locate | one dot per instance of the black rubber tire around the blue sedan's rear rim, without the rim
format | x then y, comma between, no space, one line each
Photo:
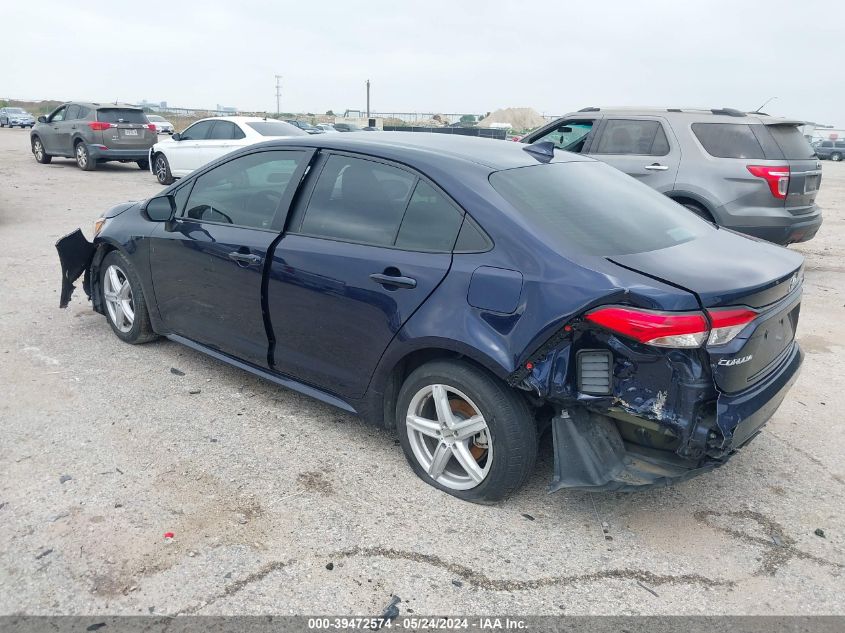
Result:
511,428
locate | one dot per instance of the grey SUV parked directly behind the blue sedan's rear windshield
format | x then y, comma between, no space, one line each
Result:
752,173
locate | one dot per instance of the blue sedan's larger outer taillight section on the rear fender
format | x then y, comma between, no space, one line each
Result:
663,329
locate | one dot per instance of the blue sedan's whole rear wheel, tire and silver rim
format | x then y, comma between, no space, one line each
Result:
465,432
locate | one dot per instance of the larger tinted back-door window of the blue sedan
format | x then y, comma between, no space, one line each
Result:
358,200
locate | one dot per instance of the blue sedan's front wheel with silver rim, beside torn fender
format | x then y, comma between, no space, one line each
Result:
124,301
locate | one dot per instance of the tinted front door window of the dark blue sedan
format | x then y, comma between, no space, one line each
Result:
246,191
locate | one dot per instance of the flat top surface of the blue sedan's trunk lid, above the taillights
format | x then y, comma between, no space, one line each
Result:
722,268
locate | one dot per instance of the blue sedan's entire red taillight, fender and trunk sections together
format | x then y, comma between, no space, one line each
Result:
673,329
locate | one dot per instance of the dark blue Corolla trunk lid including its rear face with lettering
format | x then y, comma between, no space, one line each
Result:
724,269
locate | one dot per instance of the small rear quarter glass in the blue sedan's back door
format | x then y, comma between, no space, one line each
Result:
431,223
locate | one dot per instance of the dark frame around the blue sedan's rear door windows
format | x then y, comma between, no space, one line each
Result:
313,177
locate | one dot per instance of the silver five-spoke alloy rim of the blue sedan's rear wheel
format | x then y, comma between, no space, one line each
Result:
449,437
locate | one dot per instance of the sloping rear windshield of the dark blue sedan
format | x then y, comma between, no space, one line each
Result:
595,209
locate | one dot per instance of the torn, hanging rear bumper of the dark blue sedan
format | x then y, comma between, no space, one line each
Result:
592,454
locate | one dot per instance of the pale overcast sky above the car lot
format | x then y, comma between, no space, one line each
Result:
432,56
